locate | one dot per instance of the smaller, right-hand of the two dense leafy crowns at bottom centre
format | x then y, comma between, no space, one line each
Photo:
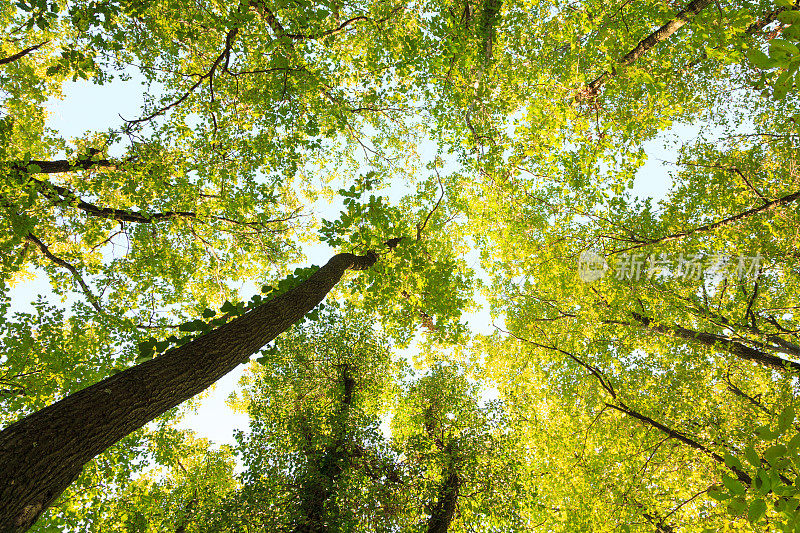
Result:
449,439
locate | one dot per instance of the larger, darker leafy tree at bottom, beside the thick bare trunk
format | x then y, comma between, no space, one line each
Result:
314,456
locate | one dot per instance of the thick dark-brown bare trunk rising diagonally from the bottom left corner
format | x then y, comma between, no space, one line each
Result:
43,453
